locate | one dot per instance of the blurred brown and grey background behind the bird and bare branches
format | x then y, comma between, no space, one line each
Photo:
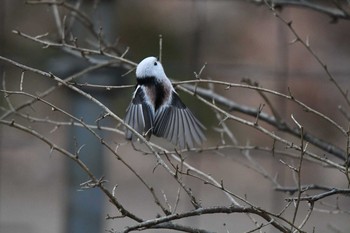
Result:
40,191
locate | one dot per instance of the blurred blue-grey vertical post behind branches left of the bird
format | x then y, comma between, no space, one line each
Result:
86,208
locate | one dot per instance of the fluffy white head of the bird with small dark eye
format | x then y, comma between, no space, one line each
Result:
150,67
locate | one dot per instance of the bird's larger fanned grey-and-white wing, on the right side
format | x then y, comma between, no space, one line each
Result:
176,123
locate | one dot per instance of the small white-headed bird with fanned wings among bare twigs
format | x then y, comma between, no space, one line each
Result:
156,109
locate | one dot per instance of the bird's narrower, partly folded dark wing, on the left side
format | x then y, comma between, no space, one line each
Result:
139,115
